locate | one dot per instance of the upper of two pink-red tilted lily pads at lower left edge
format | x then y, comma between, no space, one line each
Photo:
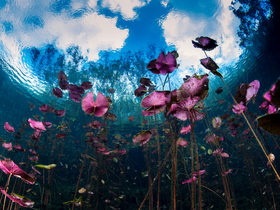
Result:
9,167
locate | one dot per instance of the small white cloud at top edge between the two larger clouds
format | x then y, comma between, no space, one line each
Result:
125,7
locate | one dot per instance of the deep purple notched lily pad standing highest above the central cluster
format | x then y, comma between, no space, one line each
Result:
166,64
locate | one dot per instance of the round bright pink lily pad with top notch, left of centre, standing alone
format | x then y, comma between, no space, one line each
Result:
97,108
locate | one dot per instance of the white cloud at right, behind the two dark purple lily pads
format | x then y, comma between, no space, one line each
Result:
179,29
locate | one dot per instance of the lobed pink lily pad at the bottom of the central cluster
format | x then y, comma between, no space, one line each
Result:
182,110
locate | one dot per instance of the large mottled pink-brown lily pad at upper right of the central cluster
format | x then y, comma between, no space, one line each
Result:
194,86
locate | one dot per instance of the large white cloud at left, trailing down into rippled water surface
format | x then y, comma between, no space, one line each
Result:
91,32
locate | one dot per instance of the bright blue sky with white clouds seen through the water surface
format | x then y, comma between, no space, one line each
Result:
116,25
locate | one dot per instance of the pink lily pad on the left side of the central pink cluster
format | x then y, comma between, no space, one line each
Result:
155,102
